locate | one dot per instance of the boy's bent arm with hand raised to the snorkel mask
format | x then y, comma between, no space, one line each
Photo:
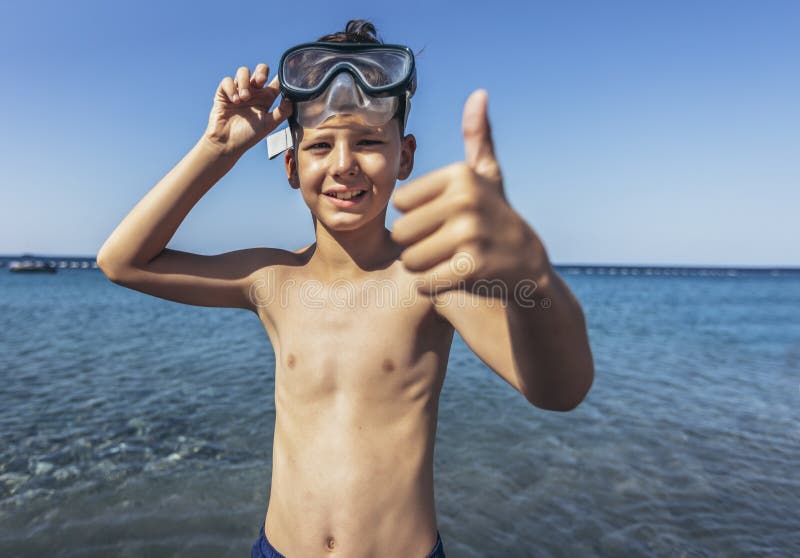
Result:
136,256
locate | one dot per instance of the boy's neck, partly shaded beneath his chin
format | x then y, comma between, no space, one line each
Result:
351,254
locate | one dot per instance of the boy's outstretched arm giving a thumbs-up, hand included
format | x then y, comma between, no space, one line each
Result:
474,252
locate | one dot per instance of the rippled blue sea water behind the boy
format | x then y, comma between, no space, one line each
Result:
133,426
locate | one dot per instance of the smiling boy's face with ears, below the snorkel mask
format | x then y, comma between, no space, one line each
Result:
343,151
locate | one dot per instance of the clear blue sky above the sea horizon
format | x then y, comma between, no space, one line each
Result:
628,132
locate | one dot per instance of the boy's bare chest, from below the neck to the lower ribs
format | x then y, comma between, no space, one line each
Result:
376,338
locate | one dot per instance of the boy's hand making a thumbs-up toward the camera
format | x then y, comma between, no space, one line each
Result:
458,226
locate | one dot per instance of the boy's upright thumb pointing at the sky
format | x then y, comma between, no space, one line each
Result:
478,145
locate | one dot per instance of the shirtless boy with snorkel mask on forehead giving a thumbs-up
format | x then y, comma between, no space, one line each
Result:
362,320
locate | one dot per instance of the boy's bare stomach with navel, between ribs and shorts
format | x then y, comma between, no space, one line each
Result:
360,478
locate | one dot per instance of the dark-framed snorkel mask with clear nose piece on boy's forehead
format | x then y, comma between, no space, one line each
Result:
368,80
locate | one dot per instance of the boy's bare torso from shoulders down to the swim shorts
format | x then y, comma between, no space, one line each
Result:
357,384
